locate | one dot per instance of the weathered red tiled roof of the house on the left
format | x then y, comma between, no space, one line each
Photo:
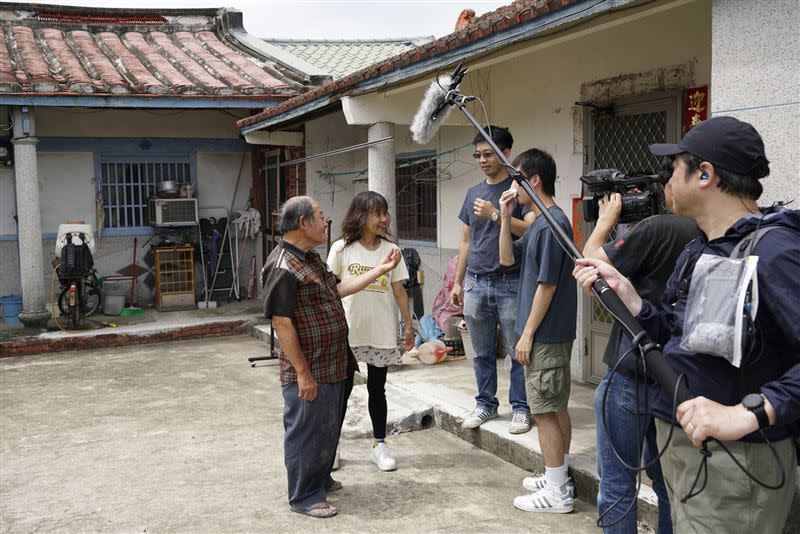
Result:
78,51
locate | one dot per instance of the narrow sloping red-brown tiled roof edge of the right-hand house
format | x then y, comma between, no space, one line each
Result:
497,21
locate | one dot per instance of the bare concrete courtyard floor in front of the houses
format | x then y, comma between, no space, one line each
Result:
185,436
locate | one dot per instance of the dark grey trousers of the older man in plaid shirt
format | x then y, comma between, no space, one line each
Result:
309,443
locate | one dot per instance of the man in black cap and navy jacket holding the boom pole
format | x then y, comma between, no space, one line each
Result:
749,407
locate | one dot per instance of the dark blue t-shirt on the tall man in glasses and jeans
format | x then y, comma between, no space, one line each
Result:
484,251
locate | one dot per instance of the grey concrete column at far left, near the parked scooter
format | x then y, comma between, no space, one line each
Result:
29,222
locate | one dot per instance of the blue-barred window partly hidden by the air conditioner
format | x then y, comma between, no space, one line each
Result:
127,184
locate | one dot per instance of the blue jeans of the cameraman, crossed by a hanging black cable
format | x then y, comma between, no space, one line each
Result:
615,480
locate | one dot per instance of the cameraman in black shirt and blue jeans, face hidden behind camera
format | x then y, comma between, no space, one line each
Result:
646,256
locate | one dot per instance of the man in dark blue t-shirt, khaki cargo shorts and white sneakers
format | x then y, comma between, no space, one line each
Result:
547,311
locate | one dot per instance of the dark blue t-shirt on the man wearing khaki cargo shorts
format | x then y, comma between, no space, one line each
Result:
542,260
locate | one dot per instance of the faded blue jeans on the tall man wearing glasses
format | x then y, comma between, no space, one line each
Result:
490,300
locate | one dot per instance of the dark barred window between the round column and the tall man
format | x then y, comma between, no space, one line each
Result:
416,196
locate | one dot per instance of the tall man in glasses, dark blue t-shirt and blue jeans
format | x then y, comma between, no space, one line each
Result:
489,289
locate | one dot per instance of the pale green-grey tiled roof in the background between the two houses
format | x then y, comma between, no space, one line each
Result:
341,58
